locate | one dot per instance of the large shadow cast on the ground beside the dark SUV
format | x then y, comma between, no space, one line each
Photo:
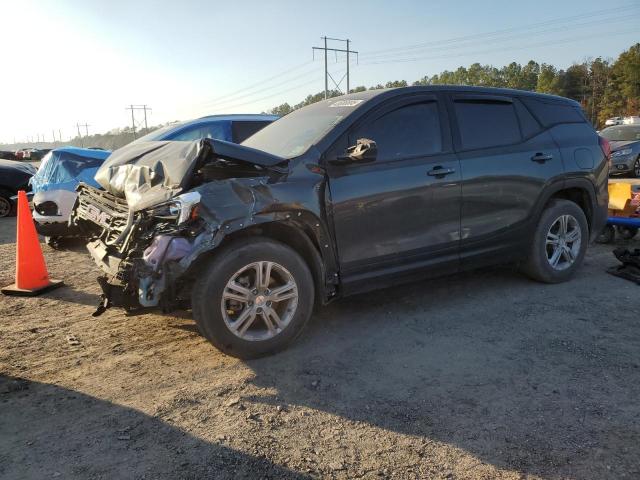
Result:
485,362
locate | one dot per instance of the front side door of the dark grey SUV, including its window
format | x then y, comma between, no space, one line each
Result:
401,211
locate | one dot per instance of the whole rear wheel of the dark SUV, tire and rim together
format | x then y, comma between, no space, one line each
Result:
542,254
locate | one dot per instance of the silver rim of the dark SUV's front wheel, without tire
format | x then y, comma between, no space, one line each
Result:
259,301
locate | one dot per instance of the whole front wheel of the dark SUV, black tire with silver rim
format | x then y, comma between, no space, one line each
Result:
216,314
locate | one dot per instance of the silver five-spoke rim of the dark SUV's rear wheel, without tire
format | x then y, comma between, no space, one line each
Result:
563,242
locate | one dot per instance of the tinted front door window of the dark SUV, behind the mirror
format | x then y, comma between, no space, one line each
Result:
407,131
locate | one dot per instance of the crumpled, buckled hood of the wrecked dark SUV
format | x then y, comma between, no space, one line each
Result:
149,173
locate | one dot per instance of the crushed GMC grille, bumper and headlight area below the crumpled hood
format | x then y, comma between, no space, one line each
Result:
139,252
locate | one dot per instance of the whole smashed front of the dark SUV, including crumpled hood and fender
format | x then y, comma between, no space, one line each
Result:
145,232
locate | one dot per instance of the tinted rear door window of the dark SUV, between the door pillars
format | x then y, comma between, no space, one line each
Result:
486,124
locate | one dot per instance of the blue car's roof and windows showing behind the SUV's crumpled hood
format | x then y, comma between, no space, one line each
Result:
231,128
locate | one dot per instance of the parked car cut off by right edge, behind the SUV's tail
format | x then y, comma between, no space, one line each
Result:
625,149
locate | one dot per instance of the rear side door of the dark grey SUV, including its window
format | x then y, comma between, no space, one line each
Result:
506,160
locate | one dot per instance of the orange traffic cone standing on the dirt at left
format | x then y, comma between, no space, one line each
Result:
31,271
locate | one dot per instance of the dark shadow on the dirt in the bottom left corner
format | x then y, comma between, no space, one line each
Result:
48,431
